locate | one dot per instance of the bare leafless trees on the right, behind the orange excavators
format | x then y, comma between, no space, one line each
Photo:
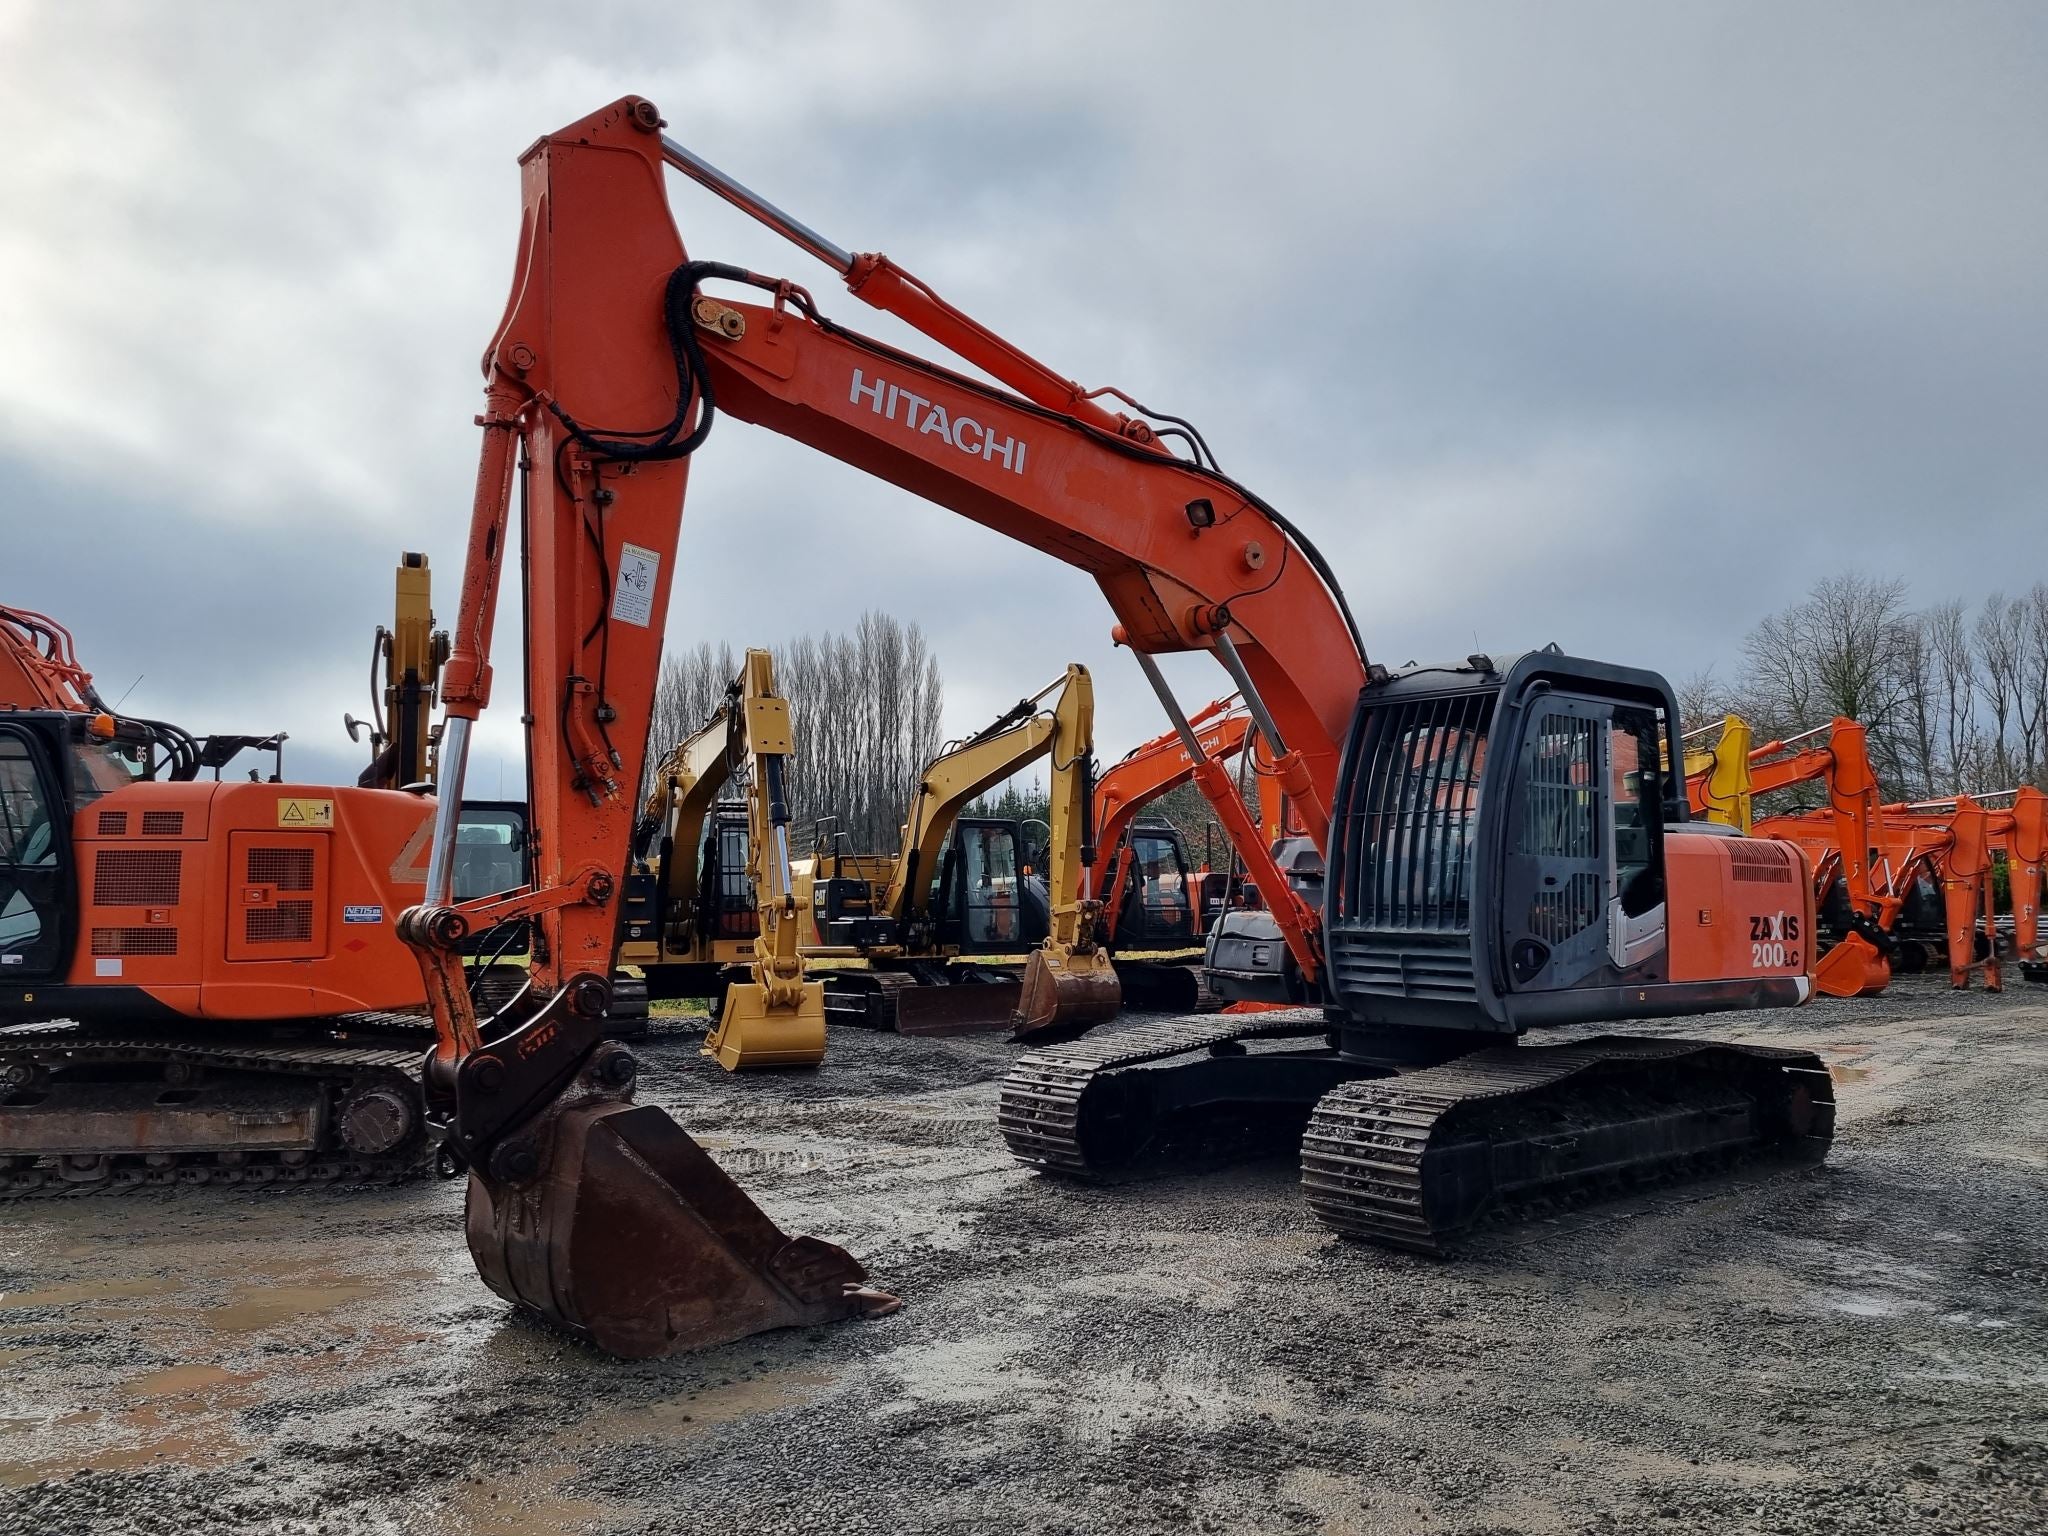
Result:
1955,695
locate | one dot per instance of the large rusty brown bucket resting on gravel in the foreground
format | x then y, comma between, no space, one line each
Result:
634,1240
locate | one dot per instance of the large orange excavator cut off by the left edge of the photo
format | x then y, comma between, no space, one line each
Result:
200,980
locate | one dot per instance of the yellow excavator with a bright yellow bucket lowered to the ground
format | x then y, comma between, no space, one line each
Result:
712,904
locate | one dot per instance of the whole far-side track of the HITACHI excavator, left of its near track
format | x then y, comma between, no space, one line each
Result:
1093,1107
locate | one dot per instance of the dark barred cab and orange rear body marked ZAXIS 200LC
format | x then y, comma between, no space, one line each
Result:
1512,853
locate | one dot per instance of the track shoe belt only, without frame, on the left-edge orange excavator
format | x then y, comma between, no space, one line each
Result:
335,1062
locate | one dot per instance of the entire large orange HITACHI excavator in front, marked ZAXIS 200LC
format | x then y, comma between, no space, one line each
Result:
1504,845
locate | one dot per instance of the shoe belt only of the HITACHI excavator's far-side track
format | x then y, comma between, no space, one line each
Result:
1041,1103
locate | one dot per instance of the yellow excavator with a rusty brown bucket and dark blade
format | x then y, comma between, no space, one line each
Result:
959,890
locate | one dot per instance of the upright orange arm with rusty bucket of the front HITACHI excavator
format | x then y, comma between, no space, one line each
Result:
597,1213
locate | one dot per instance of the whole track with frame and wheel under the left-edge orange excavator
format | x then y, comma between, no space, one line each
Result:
210,1109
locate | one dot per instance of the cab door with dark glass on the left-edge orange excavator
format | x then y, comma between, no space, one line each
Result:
36,863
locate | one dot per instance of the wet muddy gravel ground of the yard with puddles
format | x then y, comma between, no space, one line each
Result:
1861,1347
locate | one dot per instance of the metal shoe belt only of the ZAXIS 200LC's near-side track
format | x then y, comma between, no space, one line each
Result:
1363,1152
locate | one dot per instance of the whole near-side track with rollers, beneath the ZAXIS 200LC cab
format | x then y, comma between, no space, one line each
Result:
1424,1158
